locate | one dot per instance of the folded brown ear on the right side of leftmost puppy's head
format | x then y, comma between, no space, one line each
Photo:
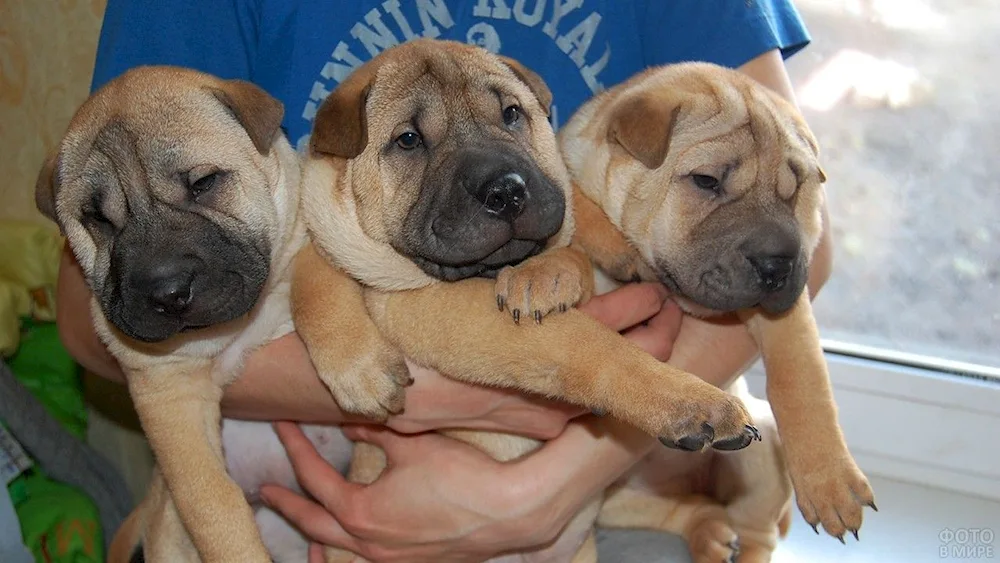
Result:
256,110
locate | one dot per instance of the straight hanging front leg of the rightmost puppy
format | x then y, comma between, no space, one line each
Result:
829,487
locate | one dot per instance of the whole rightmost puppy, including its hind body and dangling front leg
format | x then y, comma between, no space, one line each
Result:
696,176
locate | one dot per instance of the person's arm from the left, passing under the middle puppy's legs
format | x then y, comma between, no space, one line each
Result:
279,381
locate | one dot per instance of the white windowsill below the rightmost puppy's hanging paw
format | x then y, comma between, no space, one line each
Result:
907,529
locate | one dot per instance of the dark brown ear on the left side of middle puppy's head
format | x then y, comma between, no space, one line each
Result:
340,127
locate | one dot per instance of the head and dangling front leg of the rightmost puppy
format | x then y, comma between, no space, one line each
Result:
696,176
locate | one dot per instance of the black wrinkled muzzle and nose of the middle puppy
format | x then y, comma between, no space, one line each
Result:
488,204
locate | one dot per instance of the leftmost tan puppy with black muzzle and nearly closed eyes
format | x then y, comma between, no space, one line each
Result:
178,195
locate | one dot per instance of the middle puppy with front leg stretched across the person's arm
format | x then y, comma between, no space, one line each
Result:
435,163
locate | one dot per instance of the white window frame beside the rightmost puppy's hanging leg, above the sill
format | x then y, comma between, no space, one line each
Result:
914,418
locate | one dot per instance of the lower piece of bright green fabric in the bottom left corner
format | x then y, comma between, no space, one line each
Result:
59,523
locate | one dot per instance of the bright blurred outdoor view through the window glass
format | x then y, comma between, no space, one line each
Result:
904,96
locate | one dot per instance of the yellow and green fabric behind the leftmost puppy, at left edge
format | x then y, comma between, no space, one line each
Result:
59,523
